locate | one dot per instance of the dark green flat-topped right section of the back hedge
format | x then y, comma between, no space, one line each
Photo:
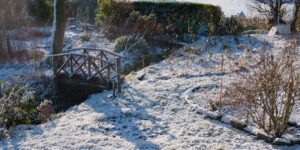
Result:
184,17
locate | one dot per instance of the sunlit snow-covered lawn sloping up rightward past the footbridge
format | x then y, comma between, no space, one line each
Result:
152,113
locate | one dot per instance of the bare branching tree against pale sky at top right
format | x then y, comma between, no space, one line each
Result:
271,9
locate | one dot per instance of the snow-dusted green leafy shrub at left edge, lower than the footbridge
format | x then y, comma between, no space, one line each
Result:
17,105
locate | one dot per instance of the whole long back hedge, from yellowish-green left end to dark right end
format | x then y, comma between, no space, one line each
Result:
174,19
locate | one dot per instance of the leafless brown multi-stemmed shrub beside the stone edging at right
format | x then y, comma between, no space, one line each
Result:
269,91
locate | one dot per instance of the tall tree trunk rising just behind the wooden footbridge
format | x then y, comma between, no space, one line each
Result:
59,24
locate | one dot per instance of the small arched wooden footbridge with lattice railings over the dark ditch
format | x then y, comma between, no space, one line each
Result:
90,66
